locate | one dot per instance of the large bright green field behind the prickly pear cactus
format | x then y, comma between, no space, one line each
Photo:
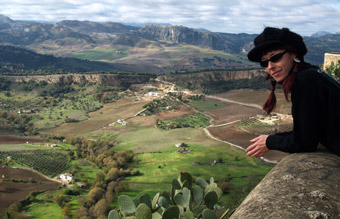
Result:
159,162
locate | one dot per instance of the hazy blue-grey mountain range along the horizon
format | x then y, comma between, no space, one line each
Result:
150,48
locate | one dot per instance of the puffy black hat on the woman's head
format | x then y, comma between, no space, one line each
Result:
275,37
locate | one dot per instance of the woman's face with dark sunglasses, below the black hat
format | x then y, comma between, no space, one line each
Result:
278,63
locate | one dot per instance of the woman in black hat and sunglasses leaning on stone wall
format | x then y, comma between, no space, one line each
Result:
315,96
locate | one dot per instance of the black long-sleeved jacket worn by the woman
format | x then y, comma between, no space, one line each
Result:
316,114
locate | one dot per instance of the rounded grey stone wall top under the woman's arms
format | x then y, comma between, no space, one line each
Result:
305,185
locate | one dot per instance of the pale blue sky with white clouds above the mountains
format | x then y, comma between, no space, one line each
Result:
228,16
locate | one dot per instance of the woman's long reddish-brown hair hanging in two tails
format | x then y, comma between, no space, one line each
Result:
287,86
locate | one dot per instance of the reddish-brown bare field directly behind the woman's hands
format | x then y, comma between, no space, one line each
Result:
241,138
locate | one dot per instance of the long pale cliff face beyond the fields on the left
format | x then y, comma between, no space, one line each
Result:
104,79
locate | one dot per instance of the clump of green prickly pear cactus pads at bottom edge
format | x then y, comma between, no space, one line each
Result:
185,201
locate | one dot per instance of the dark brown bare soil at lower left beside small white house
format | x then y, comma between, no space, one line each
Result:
18,183
